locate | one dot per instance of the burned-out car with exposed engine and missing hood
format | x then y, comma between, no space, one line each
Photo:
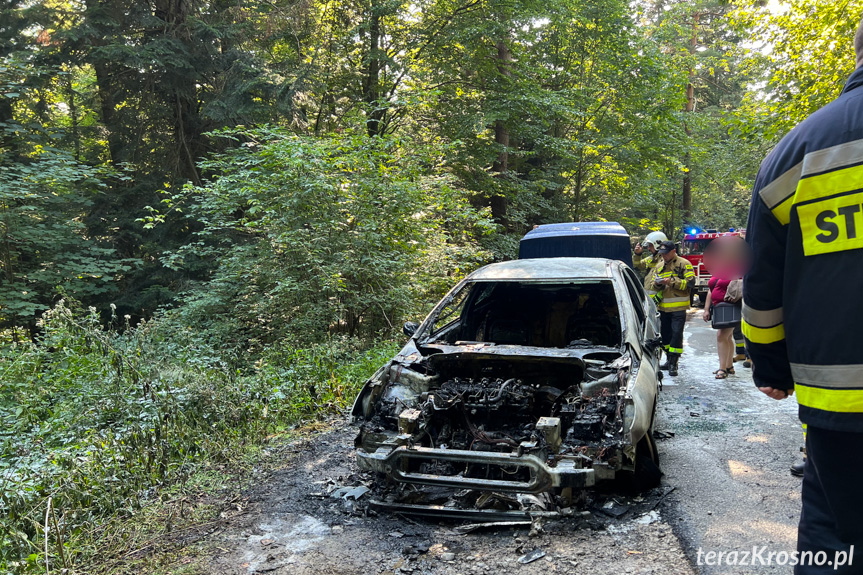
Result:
533,376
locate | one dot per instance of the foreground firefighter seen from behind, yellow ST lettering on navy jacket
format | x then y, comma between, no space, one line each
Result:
806,235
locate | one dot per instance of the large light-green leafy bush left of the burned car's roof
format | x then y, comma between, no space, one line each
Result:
311,237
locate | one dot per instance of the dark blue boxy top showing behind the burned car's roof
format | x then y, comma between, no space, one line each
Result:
578,240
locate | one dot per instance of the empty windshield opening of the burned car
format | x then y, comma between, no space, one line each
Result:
536,314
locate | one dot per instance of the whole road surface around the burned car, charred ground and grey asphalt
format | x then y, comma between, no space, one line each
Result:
726,488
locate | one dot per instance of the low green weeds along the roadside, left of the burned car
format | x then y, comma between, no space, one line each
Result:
98,424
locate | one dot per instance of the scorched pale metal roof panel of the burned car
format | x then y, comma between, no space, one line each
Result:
546,269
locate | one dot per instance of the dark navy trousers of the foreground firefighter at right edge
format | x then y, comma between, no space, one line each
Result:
832,517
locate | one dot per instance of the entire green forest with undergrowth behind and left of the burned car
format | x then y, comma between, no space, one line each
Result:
216,216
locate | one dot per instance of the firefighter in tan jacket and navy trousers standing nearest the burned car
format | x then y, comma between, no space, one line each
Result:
672,279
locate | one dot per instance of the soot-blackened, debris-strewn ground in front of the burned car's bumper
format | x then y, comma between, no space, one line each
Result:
304,520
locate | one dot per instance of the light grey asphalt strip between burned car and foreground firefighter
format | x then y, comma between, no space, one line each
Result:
728,460
